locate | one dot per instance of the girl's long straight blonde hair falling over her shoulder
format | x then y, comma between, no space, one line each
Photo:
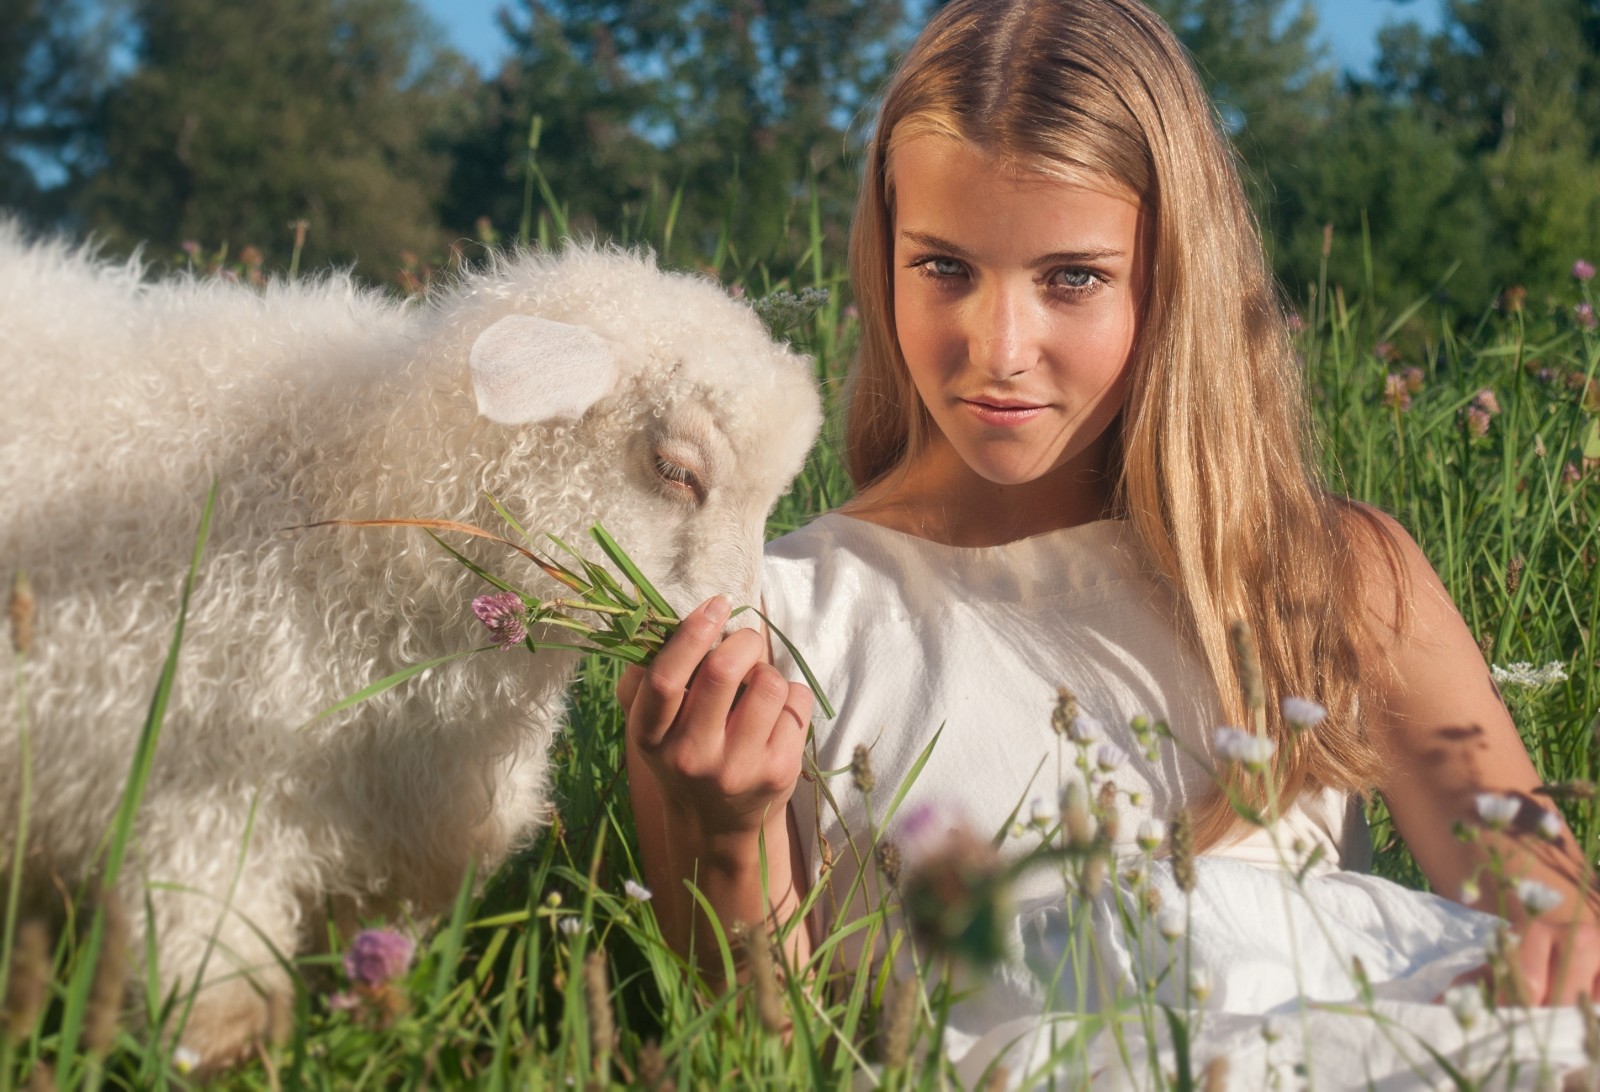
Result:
1214,462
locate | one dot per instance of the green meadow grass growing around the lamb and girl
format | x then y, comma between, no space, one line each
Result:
553,974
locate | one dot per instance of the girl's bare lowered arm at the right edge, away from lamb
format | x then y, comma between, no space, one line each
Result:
1447,739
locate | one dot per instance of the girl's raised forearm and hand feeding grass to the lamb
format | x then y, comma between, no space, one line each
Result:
714,747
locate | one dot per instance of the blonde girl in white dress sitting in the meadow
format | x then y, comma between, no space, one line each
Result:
1079,438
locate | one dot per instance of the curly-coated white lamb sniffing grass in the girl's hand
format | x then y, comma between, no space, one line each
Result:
601,390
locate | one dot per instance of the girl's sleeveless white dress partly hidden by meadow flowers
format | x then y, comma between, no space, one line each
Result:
911,641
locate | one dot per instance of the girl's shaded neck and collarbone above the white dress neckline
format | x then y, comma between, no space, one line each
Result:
935,496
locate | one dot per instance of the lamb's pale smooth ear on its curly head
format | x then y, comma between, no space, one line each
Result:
527,369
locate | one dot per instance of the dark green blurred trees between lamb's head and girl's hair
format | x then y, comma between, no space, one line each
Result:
718,114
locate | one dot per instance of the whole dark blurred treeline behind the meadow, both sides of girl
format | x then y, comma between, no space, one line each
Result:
721,130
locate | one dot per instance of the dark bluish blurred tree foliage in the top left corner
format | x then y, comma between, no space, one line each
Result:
54,68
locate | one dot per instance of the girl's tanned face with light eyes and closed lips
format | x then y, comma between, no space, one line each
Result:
1017,303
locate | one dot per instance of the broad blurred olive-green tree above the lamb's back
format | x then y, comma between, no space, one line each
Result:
244,116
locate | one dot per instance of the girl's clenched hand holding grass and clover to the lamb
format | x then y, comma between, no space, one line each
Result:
718,728
